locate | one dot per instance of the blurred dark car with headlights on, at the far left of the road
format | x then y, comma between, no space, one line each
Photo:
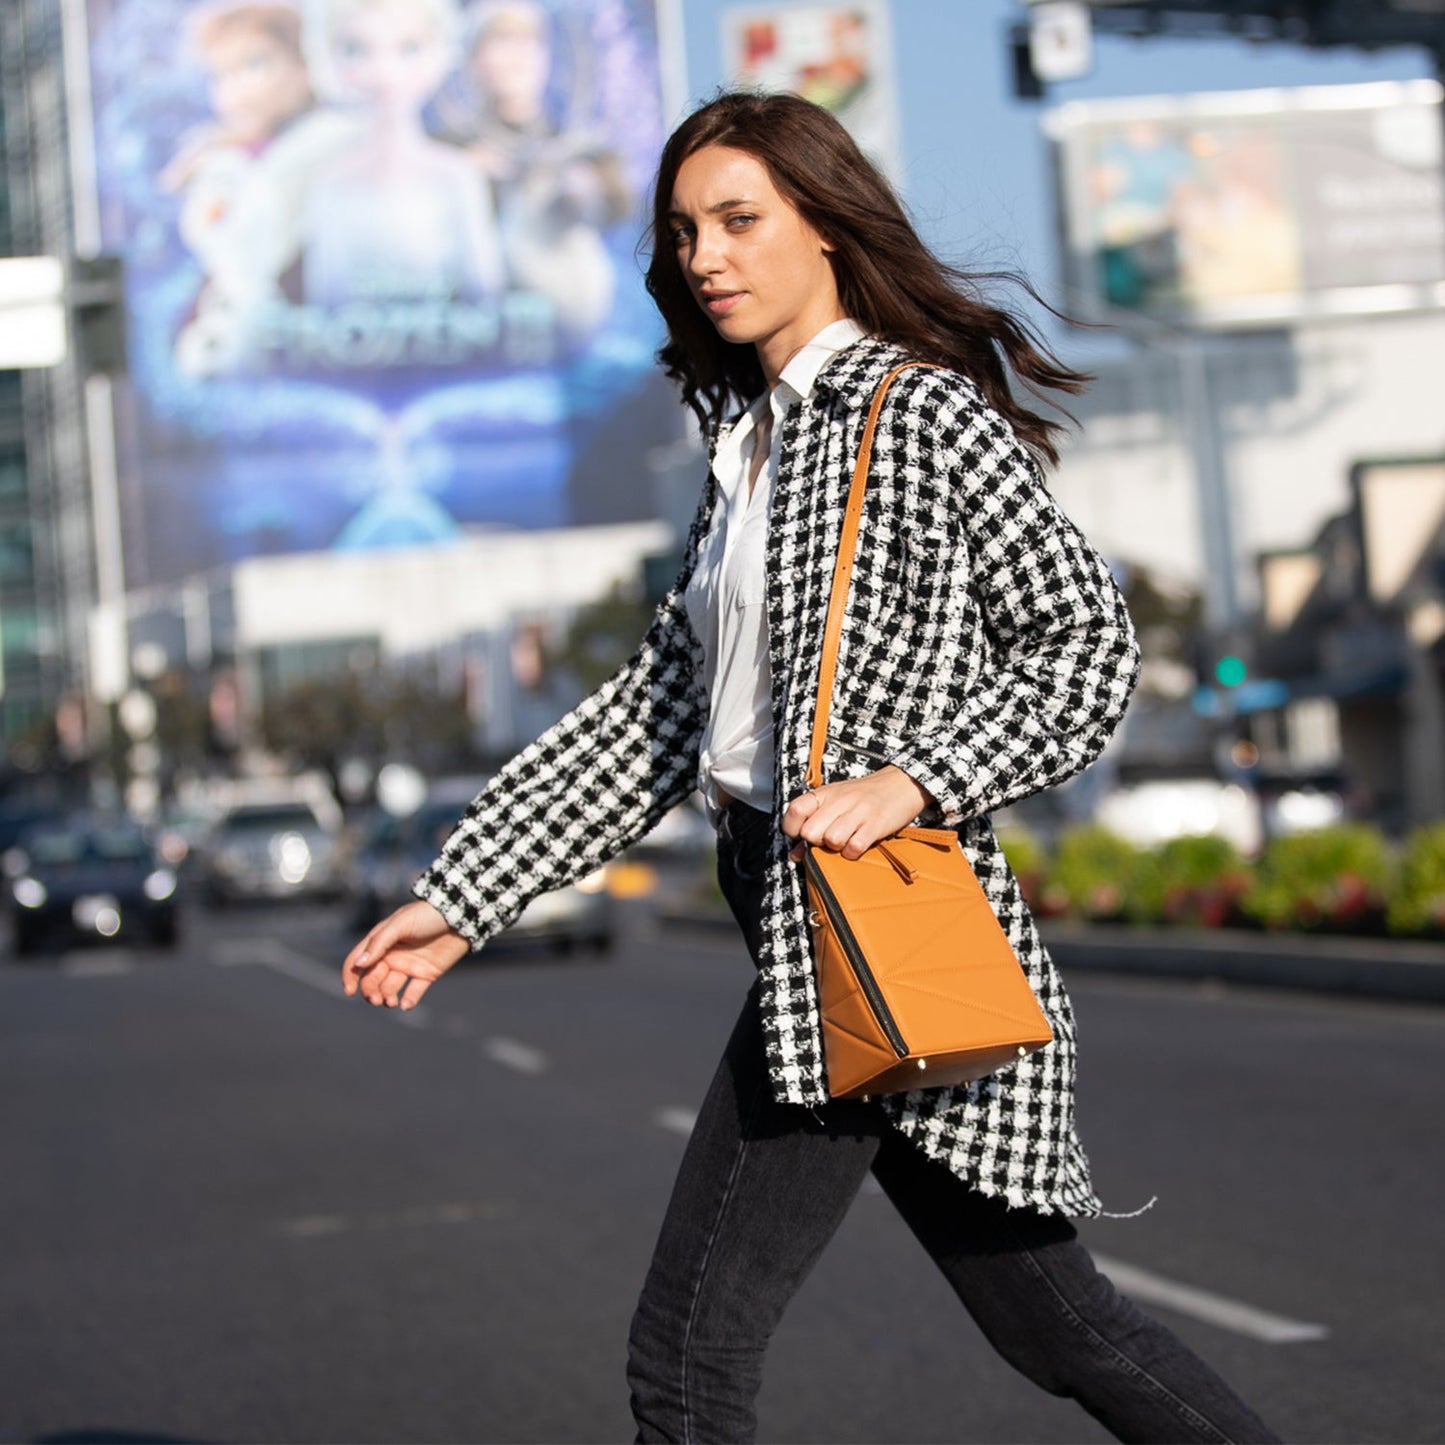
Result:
90,879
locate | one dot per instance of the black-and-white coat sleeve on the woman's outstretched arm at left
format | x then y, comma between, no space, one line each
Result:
587,788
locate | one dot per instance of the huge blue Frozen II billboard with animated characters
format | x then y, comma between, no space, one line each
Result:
381,269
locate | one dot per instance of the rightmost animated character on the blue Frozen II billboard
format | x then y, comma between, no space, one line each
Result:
554,184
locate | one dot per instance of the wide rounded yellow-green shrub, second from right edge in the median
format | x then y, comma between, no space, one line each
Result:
1327,878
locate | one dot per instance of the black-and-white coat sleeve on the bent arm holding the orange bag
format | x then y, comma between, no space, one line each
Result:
1061,658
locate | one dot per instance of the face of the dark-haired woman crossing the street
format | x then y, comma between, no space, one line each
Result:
756,268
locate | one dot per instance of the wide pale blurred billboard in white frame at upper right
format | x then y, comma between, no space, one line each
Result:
1255,207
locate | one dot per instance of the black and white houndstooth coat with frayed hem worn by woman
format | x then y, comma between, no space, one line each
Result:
986,651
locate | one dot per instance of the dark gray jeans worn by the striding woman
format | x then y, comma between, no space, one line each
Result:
765,1186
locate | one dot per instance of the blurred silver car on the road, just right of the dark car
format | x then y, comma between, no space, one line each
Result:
272,850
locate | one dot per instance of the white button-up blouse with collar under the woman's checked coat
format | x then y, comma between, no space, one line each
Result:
728,592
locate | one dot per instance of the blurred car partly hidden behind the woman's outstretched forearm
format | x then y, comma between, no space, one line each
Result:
400,850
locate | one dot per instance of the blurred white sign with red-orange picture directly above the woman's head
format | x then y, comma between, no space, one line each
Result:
836,56
